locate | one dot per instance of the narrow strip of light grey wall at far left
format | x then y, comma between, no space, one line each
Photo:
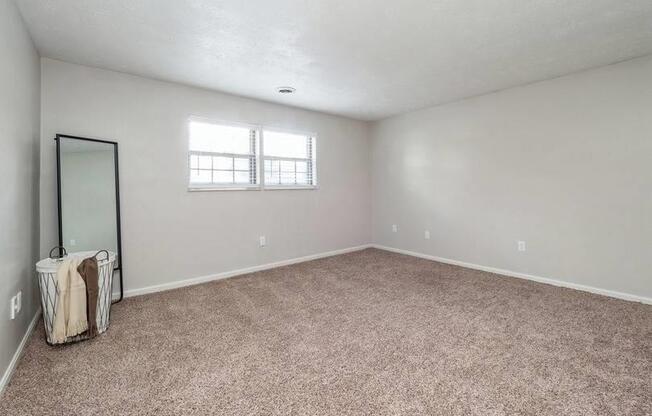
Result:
19,132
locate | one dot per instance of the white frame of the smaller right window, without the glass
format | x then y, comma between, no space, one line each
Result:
313,160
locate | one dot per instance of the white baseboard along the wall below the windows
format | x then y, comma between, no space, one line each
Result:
224,275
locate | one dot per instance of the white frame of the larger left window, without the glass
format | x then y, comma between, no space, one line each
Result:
193,187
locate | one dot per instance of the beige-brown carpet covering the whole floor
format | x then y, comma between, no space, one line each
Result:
367,333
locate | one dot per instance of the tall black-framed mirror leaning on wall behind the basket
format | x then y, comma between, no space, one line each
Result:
89,196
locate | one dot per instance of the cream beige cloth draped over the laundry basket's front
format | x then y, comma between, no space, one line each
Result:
70,313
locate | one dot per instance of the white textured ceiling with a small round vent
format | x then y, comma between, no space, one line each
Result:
365,59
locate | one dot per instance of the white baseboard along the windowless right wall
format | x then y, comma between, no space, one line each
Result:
554,282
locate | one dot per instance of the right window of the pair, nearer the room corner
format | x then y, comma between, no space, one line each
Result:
288,160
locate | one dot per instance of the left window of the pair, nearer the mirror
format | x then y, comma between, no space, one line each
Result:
222,156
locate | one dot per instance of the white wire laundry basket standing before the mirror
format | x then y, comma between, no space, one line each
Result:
47,280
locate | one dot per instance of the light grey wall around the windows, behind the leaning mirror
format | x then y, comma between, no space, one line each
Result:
171,234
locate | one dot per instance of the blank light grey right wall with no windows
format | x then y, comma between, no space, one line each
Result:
565,165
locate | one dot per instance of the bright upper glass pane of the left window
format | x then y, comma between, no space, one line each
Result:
208,137
